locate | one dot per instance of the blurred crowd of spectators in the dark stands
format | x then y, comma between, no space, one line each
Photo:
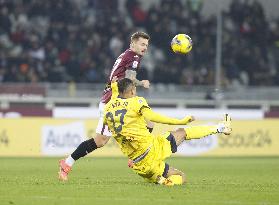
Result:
79,40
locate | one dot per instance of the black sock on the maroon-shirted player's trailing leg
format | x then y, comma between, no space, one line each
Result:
84,148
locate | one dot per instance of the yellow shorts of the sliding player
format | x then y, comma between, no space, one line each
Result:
153,165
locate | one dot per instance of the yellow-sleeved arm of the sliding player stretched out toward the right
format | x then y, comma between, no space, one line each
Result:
156,117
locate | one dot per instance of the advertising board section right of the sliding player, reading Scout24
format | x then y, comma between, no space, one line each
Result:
249,138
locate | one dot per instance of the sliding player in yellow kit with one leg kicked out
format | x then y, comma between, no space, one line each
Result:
126,115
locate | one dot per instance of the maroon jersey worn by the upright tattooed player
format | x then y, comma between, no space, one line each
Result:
127,60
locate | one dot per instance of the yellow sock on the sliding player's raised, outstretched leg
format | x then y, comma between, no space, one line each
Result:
197,132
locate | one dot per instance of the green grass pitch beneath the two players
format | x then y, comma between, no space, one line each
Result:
215,181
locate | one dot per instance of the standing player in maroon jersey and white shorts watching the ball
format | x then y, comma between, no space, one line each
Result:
125,66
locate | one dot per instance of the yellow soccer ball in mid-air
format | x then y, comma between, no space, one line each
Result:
181,43
